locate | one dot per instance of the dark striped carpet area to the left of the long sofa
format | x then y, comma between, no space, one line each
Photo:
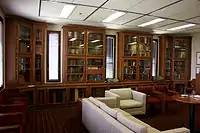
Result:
55,119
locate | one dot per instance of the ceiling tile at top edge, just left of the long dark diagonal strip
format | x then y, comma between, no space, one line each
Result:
90,2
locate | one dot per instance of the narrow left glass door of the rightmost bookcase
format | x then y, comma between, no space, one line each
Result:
168,57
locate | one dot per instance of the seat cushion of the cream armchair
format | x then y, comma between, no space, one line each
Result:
124,104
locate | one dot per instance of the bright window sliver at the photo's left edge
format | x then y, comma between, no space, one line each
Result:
1,51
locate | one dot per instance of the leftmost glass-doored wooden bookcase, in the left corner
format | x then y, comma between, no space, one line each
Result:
25,42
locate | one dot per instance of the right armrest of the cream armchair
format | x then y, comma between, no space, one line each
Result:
139,96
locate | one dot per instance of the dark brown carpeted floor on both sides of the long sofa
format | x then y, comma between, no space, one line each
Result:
67,119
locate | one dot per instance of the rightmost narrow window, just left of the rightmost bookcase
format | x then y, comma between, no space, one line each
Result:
155,57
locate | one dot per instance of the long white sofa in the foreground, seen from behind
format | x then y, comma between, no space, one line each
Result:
98,117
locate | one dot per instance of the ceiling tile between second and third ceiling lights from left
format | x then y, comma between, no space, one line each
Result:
125,18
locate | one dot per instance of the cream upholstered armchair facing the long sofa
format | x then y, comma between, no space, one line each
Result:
131,101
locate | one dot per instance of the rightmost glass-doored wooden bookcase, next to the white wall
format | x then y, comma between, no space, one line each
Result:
175,59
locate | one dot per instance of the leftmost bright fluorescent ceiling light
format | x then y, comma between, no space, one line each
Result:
67,10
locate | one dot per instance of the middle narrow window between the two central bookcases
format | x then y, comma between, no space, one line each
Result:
110,56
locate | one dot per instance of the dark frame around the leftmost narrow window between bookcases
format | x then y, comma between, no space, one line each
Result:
59,56
